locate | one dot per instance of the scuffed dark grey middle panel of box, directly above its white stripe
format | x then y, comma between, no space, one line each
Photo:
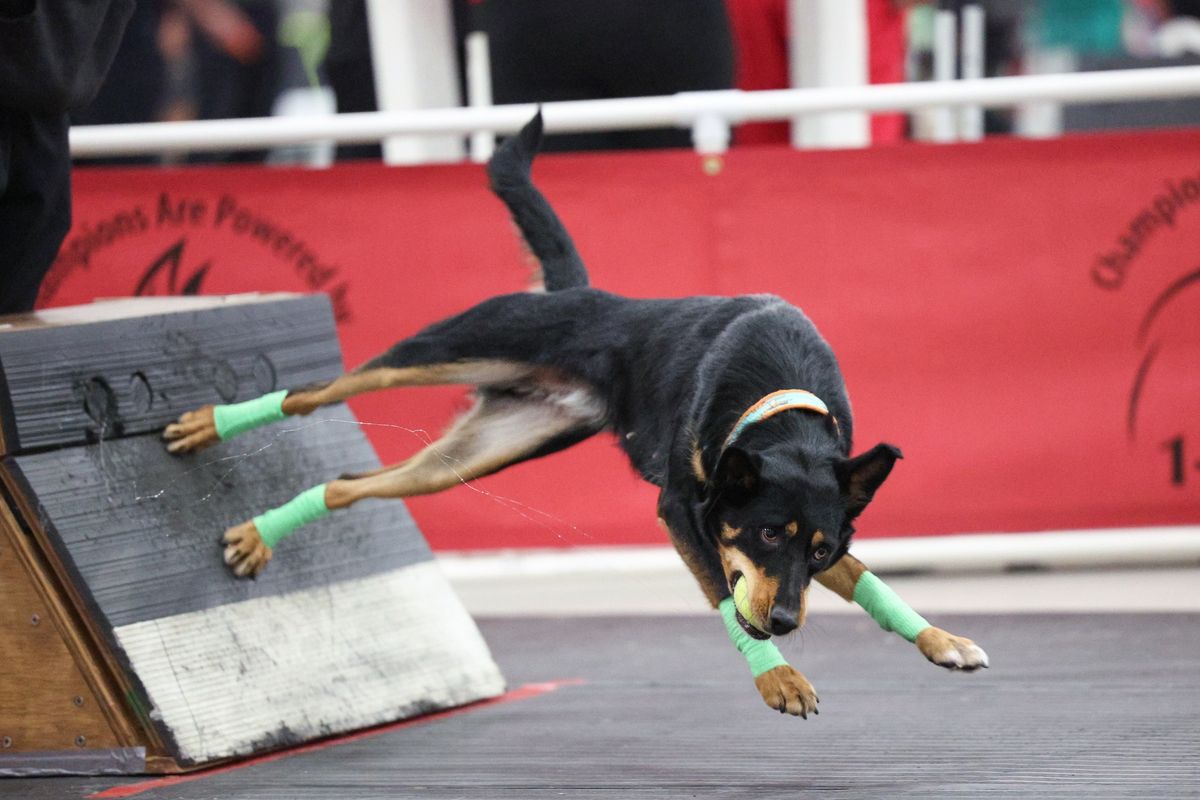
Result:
142,528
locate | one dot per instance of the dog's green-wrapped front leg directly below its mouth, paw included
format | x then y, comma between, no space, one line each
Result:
782,687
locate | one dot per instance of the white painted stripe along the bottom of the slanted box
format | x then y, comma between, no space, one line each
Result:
239,678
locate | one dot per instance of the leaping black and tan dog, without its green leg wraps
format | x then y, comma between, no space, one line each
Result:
772,497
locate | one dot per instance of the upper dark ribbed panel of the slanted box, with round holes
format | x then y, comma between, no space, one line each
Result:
76,383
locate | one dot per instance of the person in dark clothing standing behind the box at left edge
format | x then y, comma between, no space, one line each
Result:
53,58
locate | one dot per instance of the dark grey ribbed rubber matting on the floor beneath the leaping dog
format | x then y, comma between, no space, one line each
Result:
1073,707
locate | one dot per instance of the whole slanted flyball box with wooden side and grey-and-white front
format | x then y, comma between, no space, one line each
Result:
128,646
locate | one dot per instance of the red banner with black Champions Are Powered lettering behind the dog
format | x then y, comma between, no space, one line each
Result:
1019,317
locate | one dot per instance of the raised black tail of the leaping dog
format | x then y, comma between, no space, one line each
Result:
509,172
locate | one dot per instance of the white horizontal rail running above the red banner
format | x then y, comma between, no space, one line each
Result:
670,111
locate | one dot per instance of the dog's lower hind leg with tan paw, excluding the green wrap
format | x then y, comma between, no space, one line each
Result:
499,432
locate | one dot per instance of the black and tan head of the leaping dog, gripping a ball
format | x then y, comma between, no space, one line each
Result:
782,514
